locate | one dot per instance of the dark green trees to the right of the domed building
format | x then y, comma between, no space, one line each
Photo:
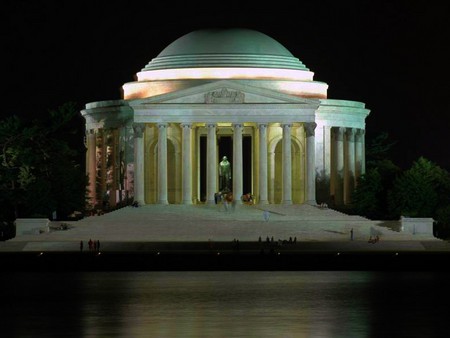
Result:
386,191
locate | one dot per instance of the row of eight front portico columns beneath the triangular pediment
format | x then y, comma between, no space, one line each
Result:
211,156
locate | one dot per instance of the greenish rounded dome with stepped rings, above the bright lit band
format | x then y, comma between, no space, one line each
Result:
244,48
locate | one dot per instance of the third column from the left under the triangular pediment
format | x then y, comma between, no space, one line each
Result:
186,163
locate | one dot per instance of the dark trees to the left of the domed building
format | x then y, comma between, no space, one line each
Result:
41,173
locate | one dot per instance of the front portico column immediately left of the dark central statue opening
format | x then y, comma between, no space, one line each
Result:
211,165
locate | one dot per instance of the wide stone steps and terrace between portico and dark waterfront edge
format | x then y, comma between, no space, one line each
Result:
144,228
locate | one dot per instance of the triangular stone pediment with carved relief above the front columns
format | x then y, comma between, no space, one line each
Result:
223,92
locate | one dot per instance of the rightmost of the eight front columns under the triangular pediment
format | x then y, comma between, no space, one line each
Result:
310,163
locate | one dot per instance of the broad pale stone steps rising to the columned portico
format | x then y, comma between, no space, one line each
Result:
182,223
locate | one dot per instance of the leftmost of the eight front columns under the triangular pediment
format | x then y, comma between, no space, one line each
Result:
138,129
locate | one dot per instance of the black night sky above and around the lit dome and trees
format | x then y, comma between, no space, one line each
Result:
392,55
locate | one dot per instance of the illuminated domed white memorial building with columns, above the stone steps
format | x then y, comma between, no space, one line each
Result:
216,93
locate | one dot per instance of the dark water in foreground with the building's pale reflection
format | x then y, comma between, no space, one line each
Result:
223,304
